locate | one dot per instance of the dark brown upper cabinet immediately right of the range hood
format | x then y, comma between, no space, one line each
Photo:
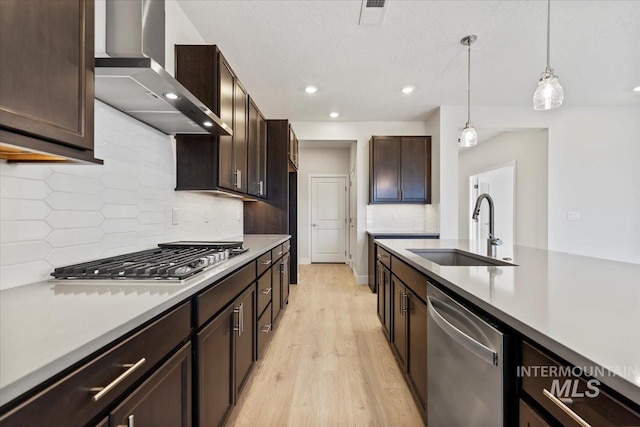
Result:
213,162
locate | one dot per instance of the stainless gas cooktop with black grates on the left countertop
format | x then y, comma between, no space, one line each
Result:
173,261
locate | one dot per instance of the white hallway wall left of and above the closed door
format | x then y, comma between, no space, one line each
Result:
322,161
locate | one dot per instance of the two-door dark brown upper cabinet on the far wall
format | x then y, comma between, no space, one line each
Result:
400,169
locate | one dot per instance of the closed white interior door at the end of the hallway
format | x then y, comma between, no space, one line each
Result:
328,219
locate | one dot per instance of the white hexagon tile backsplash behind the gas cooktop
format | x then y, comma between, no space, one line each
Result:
53,215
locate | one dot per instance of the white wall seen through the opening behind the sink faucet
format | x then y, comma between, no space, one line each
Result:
528,149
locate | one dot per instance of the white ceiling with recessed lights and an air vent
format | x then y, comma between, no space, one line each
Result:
279,47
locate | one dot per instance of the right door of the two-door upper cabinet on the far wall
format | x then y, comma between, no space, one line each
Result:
415,169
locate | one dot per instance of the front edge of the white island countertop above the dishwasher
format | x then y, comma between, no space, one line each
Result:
615,382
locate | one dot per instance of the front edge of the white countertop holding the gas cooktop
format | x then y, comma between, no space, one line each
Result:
16,389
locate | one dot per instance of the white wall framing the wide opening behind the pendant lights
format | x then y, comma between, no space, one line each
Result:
593,169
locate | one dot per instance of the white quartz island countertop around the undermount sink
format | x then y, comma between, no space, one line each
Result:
586,310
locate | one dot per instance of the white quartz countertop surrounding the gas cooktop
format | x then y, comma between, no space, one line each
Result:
47,327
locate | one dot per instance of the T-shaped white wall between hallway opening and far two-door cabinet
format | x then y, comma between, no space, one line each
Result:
361,132
